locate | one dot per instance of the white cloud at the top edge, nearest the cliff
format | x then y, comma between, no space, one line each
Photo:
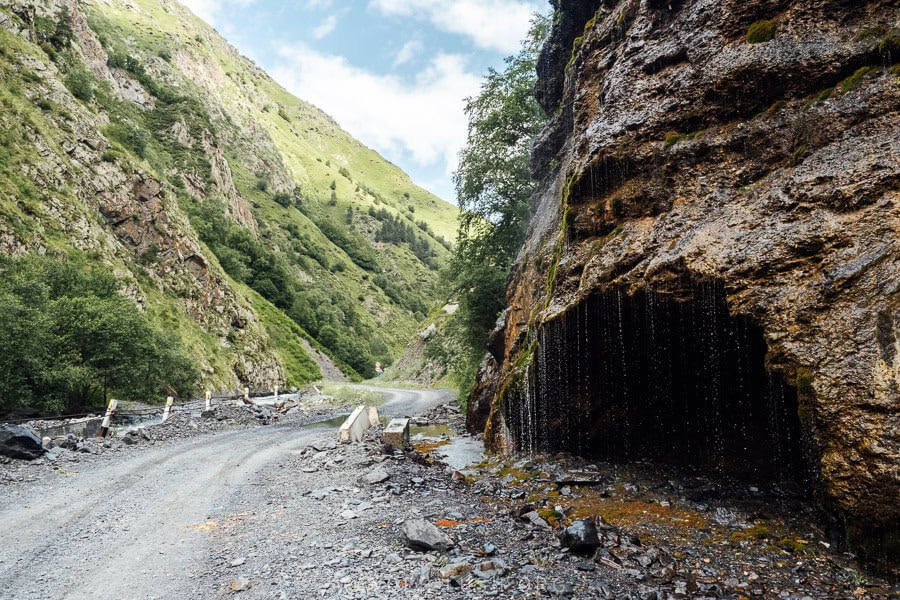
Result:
491,24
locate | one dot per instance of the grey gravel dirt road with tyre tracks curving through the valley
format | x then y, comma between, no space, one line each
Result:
132,526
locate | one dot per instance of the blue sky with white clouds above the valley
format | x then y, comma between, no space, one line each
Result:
393,73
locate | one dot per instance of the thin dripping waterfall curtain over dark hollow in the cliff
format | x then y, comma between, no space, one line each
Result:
660,374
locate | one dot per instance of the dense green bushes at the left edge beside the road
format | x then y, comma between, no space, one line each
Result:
68,339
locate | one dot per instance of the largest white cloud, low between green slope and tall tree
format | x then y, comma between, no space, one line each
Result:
422,119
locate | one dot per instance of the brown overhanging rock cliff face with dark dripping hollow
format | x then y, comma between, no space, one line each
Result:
699,185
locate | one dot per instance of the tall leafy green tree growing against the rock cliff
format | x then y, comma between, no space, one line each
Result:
493,185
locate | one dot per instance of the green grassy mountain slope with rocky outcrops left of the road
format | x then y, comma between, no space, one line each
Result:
238,216
